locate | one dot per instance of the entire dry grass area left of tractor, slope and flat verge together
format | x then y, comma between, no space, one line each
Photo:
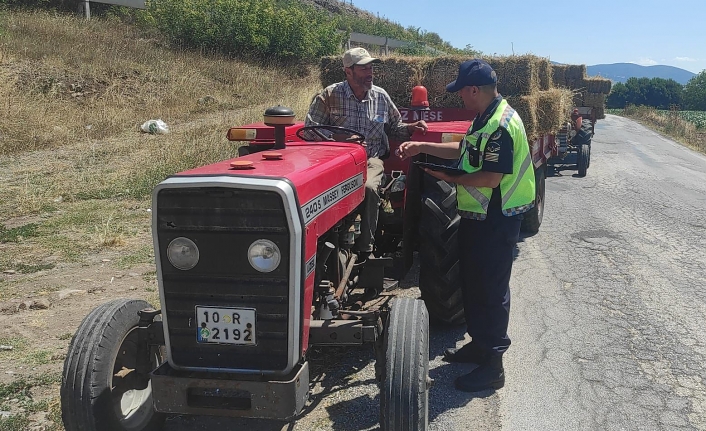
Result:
74,93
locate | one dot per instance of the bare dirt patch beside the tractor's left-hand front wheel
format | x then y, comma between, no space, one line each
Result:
36,338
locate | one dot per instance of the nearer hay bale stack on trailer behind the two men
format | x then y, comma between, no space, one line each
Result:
526,82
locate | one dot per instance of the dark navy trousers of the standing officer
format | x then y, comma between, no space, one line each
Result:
487,250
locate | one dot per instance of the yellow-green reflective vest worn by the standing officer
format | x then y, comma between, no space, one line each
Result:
517,190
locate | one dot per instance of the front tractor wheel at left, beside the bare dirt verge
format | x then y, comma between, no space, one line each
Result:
99,389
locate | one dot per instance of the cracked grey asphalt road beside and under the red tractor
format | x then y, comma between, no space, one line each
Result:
608,314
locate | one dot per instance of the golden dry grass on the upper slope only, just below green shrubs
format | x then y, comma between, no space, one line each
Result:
65,79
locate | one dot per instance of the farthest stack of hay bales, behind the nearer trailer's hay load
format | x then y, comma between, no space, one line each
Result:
590,92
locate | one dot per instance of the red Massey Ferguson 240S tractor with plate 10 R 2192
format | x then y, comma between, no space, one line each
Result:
255,265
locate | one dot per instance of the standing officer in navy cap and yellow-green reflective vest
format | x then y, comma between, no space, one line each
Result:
498,187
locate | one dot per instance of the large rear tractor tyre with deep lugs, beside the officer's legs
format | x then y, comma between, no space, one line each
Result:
439,276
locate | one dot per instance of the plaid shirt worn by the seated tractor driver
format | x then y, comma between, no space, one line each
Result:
374,116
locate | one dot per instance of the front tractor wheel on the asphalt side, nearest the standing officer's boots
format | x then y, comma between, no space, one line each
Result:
404,393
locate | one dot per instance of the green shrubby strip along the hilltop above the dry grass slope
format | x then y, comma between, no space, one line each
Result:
293,30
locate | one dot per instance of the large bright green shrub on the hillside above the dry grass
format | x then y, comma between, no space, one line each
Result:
282,29
